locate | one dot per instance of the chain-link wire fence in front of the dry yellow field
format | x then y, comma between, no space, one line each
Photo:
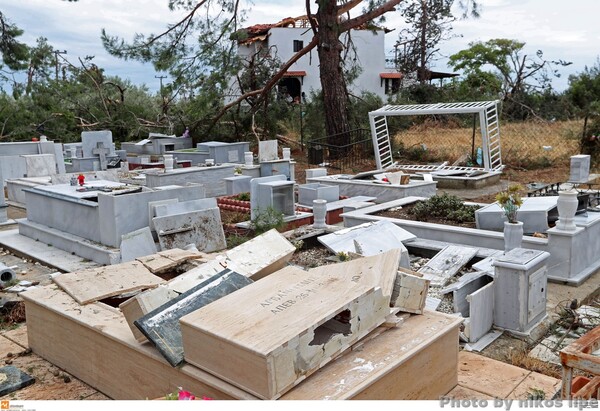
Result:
527,145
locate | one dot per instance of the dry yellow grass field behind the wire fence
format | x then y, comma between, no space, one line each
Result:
527,145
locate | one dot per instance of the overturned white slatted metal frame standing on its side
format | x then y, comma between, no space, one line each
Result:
488,120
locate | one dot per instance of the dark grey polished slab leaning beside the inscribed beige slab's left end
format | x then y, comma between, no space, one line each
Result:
161,326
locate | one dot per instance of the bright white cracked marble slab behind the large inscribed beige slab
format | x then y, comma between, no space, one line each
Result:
369,239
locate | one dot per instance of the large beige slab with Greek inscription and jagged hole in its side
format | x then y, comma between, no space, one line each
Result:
286,326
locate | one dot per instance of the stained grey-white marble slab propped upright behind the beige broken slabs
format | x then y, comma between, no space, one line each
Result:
202,228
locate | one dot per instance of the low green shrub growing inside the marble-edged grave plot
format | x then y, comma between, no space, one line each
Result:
448,207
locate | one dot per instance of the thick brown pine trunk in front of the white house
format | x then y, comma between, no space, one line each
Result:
333,85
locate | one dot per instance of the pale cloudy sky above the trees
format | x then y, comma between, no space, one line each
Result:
566,30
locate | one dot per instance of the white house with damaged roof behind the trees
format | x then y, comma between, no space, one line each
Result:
290,35
